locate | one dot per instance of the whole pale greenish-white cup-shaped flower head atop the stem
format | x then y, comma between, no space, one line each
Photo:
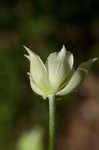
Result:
57,76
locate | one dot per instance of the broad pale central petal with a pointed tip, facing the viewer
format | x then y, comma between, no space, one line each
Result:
59,66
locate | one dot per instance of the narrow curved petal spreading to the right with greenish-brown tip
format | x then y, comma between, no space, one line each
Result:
78,76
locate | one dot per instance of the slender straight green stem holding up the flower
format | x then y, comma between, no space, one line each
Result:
51,122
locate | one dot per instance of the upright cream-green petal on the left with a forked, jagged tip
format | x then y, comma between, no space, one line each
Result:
37,70
